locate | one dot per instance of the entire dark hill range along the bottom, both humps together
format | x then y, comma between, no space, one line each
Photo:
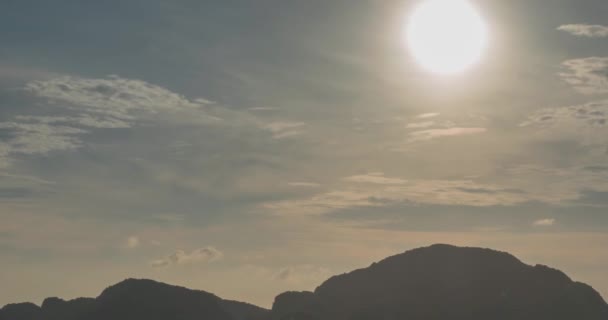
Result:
437,282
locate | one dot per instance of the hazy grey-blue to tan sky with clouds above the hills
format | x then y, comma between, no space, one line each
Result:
248,147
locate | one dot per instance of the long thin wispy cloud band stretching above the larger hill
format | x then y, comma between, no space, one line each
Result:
377,190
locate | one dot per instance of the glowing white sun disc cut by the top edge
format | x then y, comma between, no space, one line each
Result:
446,36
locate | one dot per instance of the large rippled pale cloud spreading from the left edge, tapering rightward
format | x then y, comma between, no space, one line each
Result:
74,107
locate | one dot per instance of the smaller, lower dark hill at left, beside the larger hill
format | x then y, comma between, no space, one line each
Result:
138,299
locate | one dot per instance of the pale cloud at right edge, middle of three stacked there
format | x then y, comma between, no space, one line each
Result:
588,75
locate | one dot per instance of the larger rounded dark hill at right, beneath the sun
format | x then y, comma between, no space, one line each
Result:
446,282
